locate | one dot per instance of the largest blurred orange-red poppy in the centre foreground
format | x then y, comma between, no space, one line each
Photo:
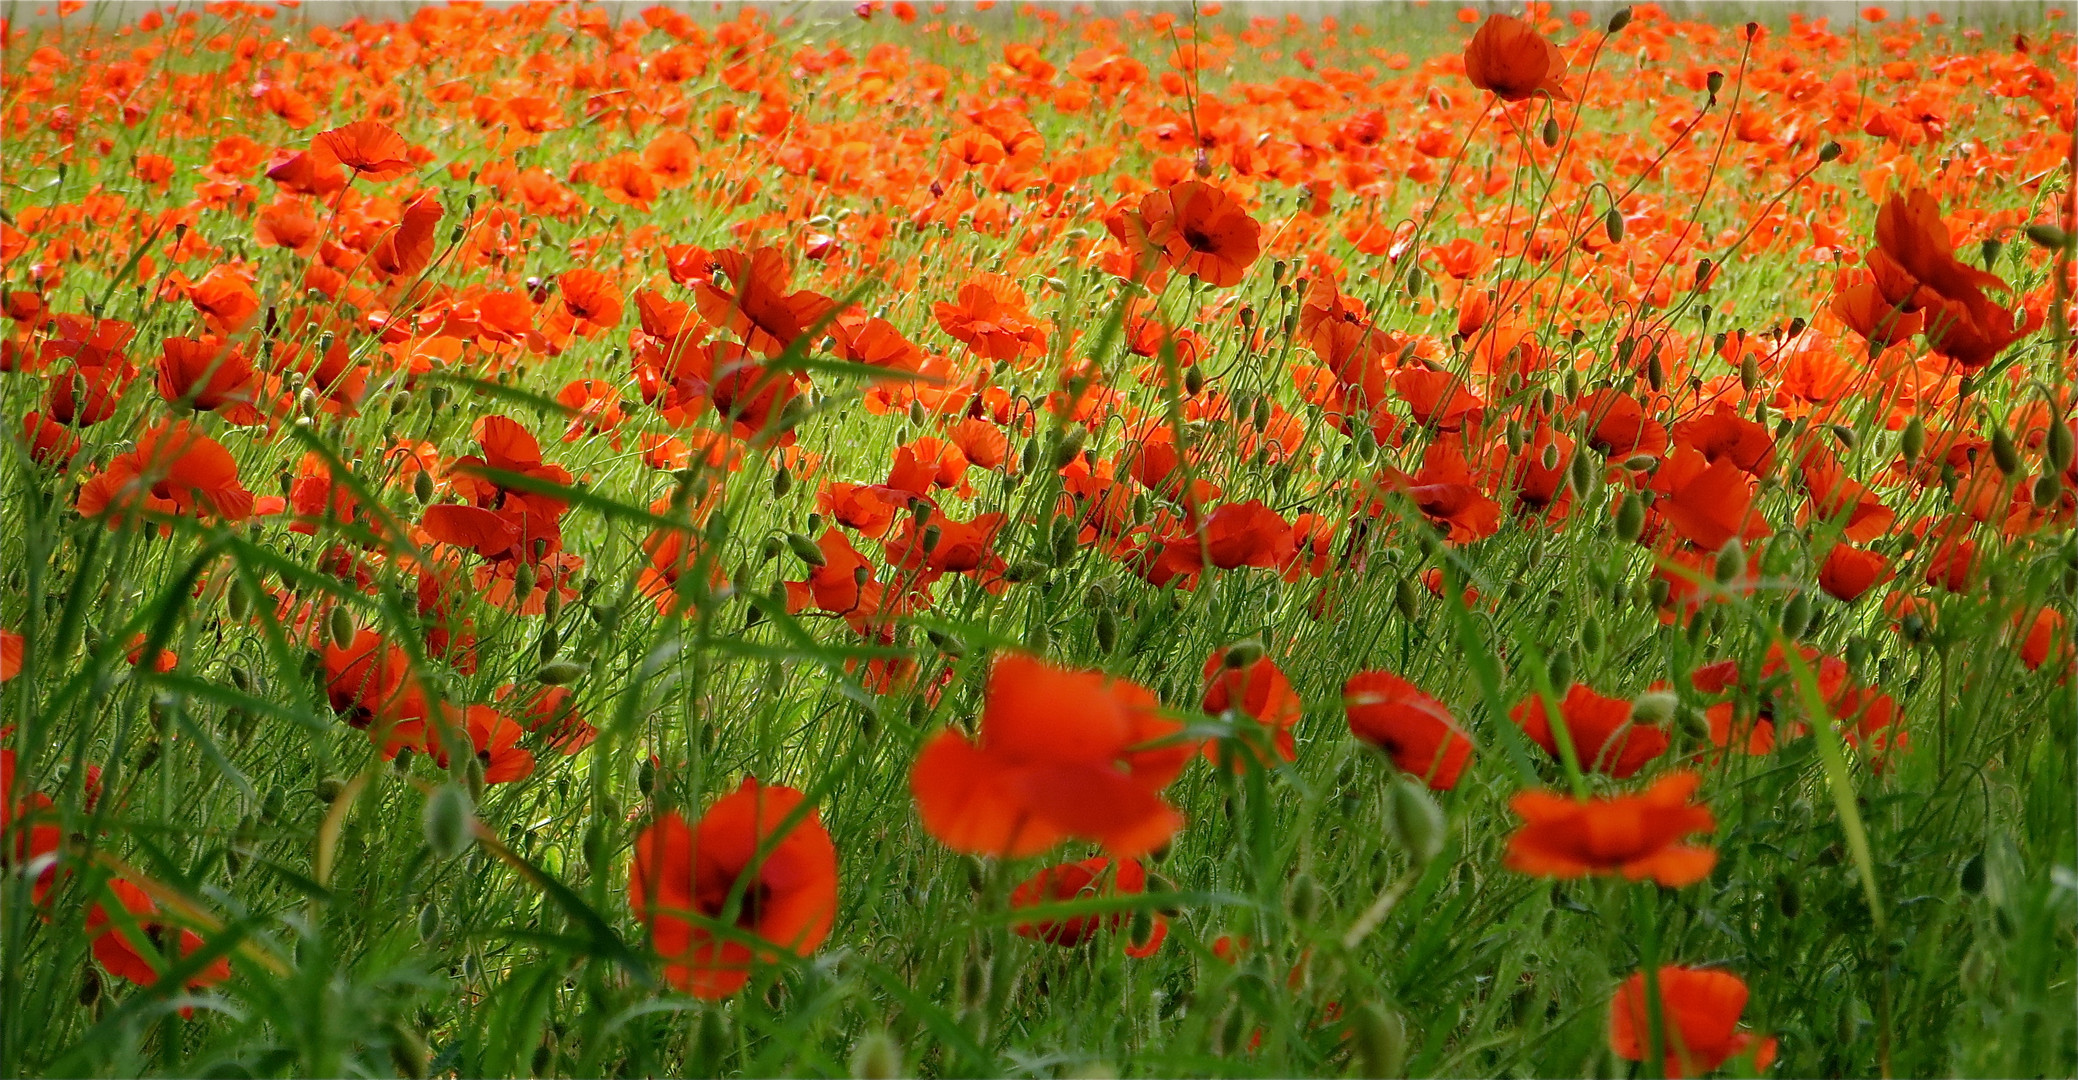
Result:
1061,755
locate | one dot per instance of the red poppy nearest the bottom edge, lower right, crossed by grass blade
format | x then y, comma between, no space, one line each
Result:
1699,1021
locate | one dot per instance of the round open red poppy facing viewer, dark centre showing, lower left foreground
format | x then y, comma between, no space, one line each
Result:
685,877
